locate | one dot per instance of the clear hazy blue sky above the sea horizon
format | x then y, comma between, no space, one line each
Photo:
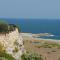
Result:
49,9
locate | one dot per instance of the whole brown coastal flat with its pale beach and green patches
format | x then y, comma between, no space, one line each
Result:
47,48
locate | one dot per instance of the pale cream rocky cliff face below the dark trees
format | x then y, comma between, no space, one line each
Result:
13,43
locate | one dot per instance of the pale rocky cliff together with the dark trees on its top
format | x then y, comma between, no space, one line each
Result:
12,40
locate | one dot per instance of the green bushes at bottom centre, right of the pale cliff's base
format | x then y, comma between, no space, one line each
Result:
30,56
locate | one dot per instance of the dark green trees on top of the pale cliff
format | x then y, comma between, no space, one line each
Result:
5,27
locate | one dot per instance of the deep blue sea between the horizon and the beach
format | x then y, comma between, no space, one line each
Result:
37,26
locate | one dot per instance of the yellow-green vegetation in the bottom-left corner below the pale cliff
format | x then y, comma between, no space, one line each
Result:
3,53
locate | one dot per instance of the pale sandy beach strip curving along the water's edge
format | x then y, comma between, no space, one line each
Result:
29,36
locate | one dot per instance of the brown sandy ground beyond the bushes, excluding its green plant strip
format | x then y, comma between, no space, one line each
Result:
52,53
